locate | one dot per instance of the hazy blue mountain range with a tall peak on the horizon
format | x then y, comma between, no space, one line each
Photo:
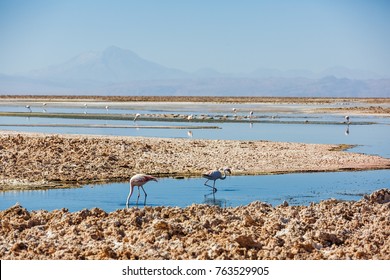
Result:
116,71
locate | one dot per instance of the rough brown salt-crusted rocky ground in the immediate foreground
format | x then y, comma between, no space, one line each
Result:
331,229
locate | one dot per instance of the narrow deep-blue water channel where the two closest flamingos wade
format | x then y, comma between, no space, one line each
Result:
296,189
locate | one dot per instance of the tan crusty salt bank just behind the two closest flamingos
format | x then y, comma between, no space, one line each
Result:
34,159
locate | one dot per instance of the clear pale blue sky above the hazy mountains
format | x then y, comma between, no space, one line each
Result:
226,35
